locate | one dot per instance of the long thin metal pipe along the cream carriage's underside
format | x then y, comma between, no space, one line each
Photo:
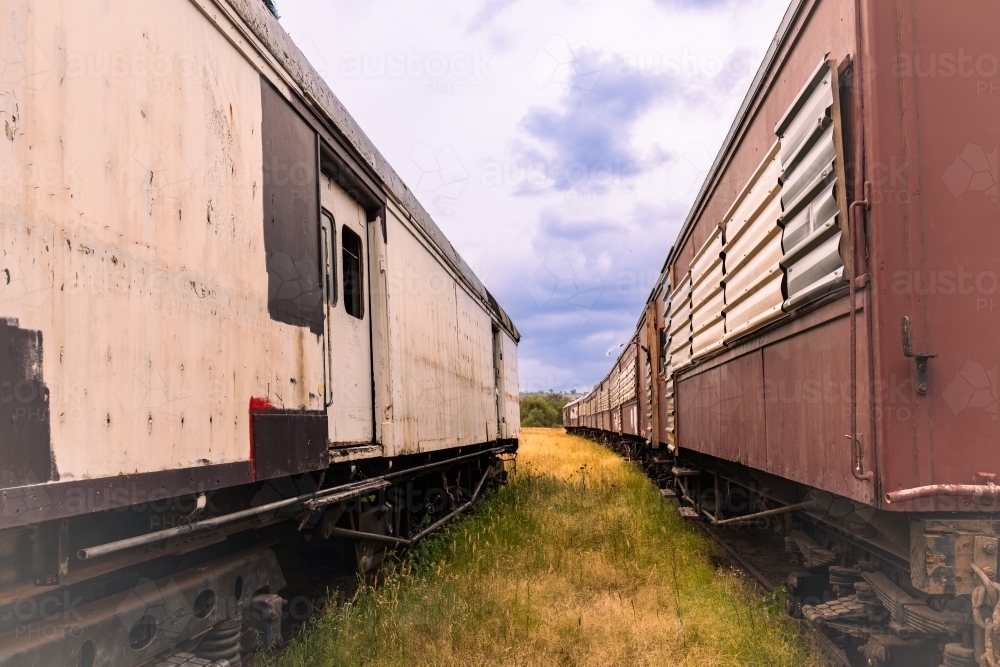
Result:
362,487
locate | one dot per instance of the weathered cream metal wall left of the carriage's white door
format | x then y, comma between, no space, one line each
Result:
141,255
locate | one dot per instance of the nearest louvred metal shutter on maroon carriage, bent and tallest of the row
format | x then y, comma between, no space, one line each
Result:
812,196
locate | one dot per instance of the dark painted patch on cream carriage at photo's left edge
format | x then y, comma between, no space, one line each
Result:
25,435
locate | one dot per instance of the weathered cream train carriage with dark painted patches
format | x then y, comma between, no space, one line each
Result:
223,318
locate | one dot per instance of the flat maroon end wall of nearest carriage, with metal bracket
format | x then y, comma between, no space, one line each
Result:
934,238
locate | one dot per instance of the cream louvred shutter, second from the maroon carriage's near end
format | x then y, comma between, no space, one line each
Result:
752,252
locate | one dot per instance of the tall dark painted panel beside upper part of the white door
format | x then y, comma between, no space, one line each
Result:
291,214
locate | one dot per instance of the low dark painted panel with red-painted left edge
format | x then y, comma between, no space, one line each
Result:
289,443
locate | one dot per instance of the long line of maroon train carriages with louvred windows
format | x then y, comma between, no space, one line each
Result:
848,224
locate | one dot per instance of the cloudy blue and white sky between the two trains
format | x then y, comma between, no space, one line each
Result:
558,143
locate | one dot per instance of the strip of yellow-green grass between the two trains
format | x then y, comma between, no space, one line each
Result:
578,561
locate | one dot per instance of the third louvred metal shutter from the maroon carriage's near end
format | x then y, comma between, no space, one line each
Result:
707,298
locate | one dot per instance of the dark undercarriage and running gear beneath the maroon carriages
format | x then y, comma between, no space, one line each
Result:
825,592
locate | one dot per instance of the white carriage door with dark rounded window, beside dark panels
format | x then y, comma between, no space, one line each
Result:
348,385
